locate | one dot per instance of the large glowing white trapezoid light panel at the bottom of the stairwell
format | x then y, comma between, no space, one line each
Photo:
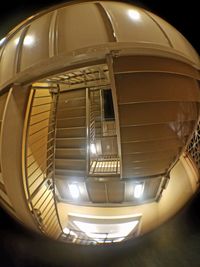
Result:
100,232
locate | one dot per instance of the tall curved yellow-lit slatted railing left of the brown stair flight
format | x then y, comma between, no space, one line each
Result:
39,148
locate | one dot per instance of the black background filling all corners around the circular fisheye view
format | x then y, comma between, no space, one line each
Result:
176,243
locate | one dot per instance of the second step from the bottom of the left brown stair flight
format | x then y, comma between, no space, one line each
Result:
71,164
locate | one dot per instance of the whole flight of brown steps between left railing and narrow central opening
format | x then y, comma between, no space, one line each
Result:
71,142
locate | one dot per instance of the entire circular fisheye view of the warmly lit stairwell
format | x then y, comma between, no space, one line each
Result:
99,113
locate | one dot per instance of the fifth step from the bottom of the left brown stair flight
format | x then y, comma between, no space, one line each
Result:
71,132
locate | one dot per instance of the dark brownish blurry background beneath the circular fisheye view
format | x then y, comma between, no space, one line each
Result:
176,243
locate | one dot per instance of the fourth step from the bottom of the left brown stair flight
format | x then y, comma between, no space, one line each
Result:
71,142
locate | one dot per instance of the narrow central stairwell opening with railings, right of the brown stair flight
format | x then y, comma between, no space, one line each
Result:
103,156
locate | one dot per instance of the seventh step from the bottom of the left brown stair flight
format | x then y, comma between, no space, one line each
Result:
71,112
